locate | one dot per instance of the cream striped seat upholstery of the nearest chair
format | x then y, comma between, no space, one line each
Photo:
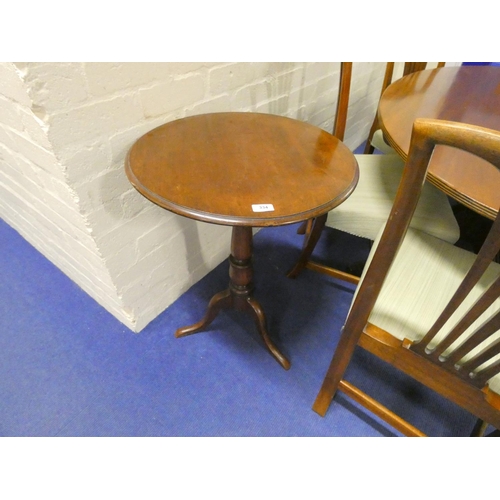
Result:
424,276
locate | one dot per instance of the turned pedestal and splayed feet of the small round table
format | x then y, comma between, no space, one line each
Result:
239,295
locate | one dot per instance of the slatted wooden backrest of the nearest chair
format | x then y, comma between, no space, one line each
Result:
480,367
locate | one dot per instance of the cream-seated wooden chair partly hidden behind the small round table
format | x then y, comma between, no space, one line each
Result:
368,207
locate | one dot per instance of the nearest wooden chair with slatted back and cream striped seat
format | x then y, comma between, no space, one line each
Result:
425,306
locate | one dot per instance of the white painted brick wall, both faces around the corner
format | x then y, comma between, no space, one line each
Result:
66,129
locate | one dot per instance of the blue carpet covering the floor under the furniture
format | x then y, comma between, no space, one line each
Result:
68,368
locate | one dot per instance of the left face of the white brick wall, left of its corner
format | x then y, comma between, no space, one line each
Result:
35,197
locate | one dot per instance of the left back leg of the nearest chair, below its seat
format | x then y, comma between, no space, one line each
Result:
338,365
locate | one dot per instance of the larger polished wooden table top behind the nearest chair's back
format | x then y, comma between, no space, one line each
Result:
467,94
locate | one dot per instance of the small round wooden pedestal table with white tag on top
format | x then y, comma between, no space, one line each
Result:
243,170
